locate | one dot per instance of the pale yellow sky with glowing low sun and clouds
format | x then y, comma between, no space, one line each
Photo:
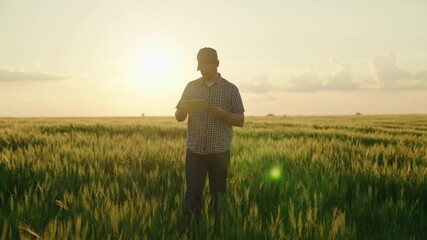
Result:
75,58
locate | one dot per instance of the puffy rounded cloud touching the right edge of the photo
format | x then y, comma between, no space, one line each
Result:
391,77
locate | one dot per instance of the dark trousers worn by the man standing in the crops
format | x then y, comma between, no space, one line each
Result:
196,168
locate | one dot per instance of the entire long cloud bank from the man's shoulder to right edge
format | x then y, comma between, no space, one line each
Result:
385,75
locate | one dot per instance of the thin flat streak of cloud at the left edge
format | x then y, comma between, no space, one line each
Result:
8,74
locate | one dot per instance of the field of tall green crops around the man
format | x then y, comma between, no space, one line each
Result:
343,177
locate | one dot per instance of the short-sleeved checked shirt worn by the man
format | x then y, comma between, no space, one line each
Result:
207,133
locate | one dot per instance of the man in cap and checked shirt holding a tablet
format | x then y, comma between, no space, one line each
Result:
213,106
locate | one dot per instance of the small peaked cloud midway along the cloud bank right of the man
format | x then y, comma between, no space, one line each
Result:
339,79
